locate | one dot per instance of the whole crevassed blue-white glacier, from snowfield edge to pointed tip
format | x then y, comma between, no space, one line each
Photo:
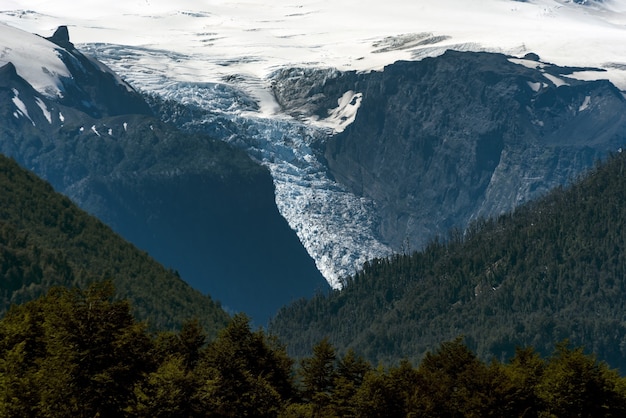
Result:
336,227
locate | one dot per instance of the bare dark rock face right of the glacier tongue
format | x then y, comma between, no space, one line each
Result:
439,142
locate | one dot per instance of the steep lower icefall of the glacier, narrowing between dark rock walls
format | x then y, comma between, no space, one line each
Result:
335,226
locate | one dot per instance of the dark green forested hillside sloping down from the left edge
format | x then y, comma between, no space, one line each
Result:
45,241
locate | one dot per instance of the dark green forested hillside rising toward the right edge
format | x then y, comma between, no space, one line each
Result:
553,269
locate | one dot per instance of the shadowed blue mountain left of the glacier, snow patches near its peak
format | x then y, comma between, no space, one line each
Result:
195,204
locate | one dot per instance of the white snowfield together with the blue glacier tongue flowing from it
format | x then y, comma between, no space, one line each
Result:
214,53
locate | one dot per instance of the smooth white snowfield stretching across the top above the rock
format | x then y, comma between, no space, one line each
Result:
219,38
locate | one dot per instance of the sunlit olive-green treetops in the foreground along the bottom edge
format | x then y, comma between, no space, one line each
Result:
81,353
